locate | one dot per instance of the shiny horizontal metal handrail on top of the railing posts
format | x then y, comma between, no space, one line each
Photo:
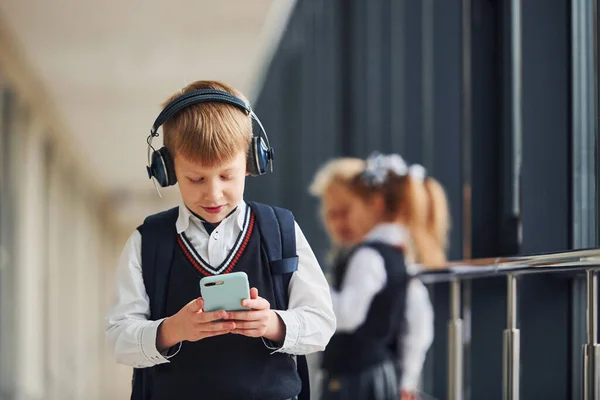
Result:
568,261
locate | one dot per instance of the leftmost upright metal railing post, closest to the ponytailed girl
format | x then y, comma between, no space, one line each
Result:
455,344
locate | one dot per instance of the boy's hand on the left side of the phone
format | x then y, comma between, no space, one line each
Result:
191,323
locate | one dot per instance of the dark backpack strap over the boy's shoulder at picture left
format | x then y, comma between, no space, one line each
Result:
158,244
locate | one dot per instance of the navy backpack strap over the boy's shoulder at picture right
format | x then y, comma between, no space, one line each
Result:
278,230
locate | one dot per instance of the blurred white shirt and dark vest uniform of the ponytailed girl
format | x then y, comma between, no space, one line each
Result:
376,303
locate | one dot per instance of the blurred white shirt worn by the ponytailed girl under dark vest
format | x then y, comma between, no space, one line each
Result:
365,277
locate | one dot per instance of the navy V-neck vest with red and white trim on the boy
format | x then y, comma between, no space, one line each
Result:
228,366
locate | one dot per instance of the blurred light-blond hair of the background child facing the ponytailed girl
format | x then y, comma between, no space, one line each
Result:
339,170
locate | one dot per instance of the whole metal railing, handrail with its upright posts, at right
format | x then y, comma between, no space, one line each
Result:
587,261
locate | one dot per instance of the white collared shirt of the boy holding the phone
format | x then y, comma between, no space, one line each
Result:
309,320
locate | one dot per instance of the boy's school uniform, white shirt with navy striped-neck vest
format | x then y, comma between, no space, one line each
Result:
227,366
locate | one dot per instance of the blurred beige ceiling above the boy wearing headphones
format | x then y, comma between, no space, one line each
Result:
106,67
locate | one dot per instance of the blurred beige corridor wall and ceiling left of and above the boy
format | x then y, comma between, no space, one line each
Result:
80,86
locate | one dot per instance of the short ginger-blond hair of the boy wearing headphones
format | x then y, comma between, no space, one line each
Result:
209,133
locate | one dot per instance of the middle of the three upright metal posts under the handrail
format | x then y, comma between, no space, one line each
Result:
511,356
